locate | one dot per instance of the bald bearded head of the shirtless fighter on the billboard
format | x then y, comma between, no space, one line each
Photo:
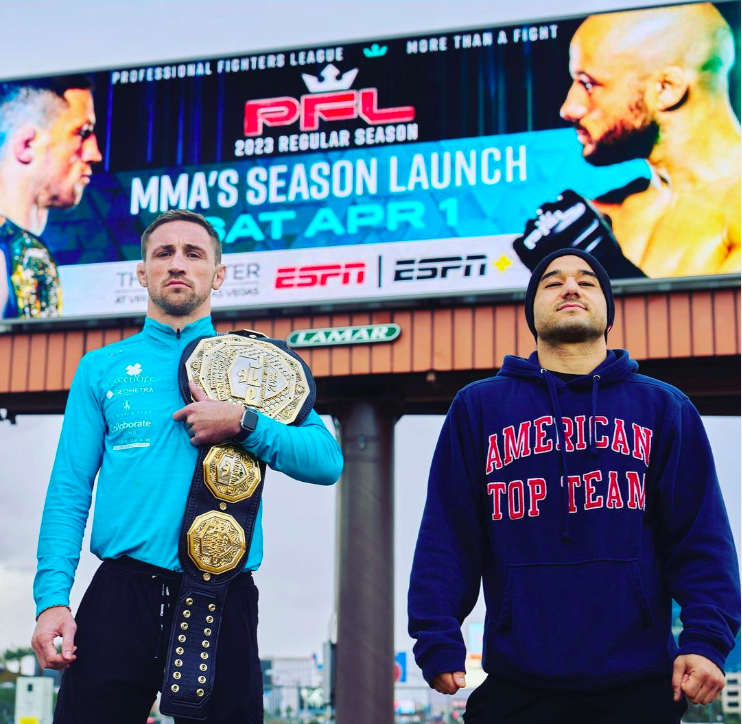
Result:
633,71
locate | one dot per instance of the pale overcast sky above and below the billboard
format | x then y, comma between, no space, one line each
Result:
297,577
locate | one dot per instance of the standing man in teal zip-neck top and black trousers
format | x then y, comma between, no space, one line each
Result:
126,423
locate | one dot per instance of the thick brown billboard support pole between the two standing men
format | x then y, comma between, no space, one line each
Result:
365,585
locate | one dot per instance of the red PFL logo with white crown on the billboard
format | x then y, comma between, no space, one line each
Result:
330,99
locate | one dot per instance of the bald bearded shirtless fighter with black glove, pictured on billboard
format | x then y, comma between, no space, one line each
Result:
651,84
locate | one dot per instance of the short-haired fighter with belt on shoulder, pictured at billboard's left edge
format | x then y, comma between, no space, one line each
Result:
47,151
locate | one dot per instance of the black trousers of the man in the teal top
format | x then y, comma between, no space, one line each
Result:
123,629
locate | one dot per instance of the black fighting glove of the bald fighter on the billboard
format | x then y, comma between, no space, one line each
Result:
573,221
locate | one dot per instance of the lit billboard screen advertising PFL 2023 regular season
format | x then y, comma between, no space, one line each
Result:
447,164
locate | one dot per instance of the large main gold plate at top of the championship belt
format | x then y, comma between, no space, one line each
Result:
251,372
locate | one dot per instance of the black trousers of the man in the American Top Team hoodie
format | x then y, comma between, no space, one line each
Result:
498,701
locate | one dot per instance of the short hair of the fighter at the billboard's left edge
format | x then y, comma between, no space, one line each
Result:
38,101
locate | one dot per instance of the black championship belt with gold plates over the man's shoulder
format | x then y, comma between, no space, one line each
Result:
247,369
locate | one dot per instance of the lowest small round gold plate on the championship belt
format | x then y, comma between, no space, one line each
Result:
216,542
